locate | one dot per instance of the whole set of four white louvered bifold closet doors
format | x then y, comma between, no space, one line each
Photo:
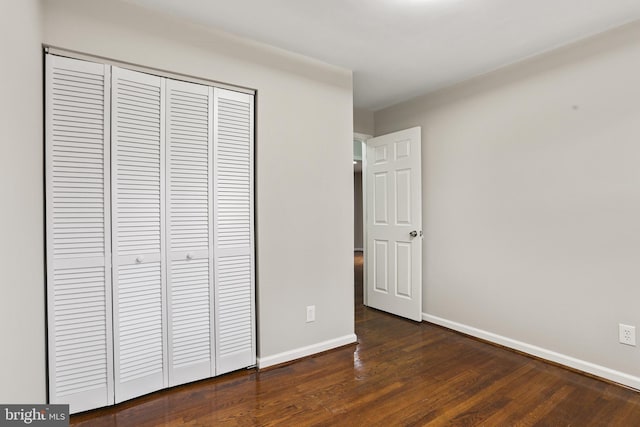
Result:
150,232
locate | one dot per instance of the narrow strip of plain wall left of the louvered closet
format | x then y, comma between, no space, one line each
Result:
22,301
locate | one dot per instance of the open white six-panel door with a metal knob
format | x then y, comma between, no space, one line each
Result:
394,224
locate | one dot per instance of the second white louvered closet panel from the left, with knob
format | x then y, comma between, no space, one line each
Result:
138,233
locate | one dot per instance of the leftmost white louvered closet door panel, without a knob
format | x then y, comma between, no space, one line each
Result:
78,241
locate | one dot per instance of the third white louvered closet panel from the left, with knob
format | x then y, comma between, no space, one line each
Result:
189,231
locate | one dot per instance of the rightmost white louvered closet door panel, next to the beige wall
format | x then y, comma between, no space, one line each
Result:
234,230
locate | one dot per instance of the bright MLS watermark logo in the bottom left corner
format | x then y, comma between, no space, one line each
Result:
34,415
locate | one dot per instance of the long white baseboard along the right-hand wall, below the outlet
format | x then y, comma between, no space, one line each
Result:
562,359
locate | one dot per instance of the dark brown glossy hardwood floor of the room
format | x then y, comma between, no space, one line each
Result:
400,373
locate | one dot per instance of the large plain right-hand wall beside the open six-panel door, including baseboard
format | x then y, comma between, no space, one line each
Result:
531,181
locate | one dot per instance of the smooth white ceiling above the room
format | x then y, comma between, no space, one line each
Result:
399,49
